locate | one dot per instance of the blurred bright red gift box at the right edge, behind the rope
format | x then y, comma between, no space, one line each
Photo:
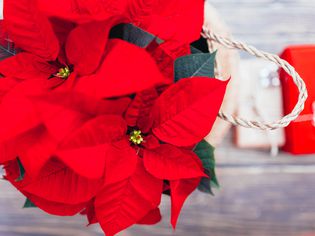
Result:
300,134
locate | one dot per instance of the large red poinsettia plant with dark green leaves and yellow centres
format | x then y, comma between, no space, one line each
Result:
106,108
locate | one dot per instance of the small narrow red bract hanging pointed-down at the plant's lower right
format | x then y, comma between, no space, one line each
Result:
180,190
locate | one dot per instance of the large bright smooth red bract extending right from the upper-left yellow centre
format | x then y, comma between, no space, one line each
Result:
121,73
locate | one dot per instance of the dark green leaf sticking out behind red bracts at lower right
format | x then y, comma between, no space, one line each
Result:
206,154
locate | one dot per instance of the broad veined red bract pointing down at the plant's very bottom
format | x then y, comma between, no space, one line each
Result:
123,204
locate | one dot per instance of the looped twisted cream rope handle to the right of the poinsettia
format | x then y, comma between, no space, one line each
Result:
286,120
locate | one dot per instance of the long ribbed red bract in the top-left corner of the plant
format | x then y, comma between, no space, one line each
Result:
30,29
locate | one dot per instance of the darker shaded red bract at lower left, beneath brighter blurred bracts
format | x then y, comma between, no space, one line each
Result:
58,183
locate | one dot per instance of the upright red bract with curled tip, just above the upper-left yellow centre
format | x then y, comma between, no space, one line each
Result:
86,45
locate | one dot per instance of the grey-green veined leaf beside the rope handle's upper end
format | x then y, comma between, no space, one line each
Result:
195,65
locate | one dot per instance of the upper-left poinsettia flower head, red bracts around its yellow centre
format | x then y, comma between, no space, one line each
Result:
42,71
